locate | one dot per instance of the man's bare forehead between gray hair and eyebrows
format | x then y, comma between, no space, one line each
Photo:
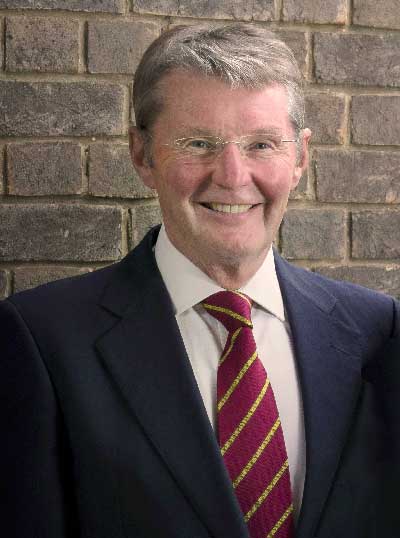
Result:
207,103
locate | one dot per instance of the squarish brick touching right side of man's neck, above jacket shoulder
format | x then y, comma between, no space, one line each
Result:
313,234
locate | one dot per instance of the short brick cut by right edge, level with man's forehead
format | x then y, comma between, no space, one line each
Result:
375,119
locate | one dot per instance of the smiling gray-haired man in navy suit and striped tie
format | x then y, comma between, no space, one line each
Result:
121,418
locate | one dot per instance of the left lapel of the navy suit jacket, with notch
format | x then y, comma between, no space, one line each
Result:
145,355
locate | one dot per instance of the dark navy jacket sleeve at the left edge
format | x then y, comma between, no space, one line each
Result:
36,476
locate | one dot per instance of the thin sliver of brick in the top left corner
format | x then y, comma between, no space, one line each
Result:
101,6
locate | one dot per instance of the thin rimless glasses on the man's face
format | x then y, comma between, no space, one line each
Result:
207,148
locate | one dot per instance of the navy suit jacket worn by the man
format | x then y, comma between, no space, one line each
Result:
106,435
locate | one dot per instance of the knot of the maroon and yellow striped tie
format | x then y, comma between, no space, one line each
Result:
231,308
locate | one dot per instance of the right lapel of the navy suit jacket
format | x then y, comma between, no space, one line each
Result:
329,364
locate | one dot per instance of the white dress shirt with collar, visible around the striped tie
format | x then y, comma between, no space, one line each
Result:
204,338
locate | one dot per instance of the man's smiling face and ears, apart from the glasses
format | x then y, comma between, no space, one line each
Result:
196,197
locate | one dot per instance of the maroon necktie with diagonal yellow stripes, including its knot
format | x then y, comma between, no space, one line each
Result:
249,429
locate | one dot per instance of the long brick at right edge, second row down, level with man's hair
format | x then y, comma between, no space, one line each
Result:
357,59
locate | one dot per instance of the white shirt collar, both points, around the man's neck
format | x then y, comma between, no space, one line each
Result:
193,285
